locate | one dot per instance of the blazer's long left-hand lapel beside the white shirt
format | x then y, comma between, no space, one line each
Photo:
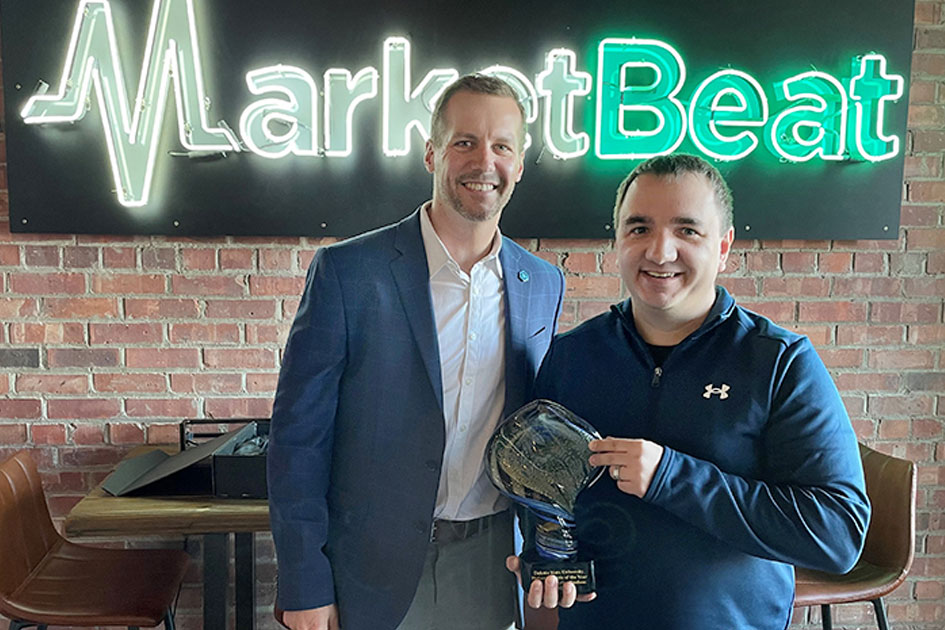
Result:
413,283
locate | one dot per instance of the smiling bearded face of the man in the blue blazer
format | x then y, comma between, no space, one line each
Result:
480,160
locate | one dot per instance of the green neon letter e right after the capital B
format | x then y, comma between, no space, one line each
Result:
712,119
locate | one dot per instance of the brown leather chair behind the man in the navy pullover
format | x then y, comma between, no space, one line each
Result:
890,543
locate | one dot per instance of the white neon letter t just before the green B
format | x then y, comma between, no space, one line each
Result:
559,83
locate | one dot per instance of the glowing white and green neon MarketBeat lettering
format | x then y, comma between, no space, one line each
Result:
638,109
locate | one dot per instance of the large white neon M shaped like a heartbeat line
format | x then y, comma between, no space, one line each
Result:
131,133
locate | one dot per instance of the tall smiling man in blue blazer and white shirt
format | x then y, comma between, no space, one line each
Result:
410,343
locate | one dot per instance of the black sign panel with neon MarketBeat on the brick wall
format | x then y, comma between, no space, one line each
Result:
282,117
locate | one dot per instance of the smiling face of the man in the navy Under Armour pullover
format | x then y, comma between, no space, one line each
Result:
671,247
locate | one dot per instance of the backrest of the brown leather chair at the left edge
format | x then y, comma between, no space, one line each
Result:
26,530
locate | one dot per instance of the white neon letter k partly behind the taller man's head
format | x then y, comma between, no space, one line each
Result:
403,109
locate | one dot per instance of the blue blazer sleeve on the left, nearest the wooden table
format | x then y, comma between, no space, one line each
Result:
301,437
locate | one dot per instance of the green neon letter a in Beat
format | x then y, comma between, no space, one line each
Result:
816,125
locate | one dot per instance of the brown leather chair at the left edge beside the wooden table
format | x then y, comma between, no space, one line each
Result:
47,580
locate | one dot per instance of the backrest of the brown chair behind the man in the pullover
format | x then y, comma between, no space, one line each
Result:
890,485
